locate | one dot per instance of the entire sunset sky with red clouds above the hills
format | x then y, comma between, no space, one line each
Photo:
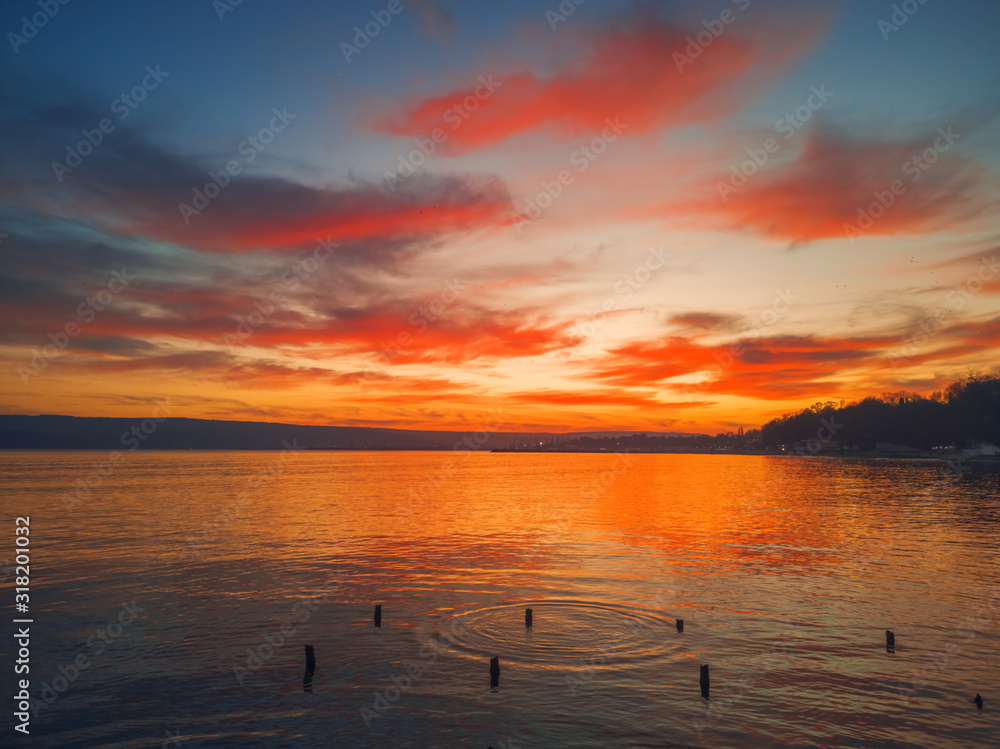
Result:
661,216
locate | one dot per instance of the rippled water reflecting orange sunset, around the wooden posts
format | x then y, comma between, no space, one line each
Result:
188,583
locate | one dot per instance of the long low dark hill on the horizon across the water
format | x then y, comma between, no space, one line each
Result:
49,432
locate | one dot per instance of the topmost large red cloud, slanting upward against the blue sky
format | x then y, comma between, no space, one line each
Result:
636,74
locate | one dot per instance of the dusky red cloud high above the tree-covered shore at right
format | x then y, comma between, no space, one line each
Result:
875,188
